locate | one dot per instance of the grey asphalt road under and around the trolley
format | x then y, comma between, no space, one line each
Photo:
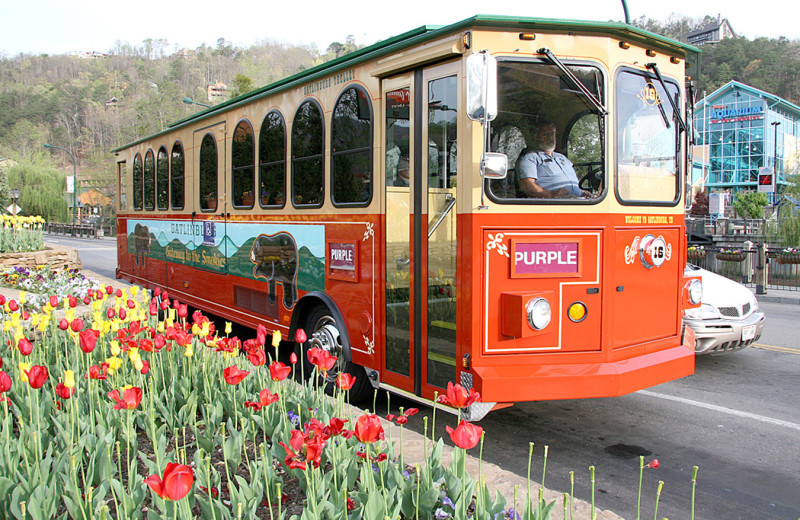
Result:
737,418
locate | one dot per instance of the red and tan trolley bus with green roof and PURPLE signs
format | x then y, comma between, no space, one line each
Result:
381,202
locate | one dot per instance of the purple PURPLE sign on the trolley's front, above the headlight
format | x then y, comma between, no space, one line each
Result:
545,258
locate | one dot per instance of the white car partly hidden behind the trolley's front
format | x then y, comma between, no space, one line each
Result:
728,318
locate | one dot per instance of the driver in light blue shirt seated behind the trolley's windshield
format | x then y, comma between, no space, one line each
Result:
545,173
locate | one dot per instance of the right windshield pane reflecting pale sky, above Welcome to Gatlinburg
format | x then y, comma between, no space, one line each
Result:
647,140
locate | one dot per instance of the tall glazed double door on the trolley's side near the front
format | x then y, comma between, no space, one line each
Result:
420,167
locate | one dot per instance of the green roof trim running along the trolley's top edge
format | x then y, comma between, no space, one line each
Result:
425,33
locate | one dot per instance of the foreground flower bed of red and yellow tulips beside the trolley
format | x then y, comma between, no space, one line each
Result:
138,410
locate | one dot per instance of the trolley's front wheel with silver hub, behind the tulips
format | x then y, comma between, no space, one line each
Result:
323,332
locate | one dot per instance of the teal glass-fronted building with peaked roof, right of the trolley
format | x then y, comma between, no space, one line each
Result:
740,130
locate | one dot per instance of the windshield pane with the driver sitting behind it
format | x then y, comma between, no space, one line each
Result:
551,133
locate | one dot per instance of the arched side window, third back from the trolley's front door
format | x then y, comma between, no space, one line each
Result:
272,161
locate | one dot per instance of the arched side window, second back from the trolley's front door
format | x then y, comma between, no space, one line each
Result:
307,156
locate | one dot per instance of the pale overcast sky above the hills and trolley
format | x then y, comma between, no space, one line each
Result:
63,26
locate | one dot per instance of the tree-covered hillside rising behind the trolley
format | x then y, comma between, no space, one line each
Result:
92,105
